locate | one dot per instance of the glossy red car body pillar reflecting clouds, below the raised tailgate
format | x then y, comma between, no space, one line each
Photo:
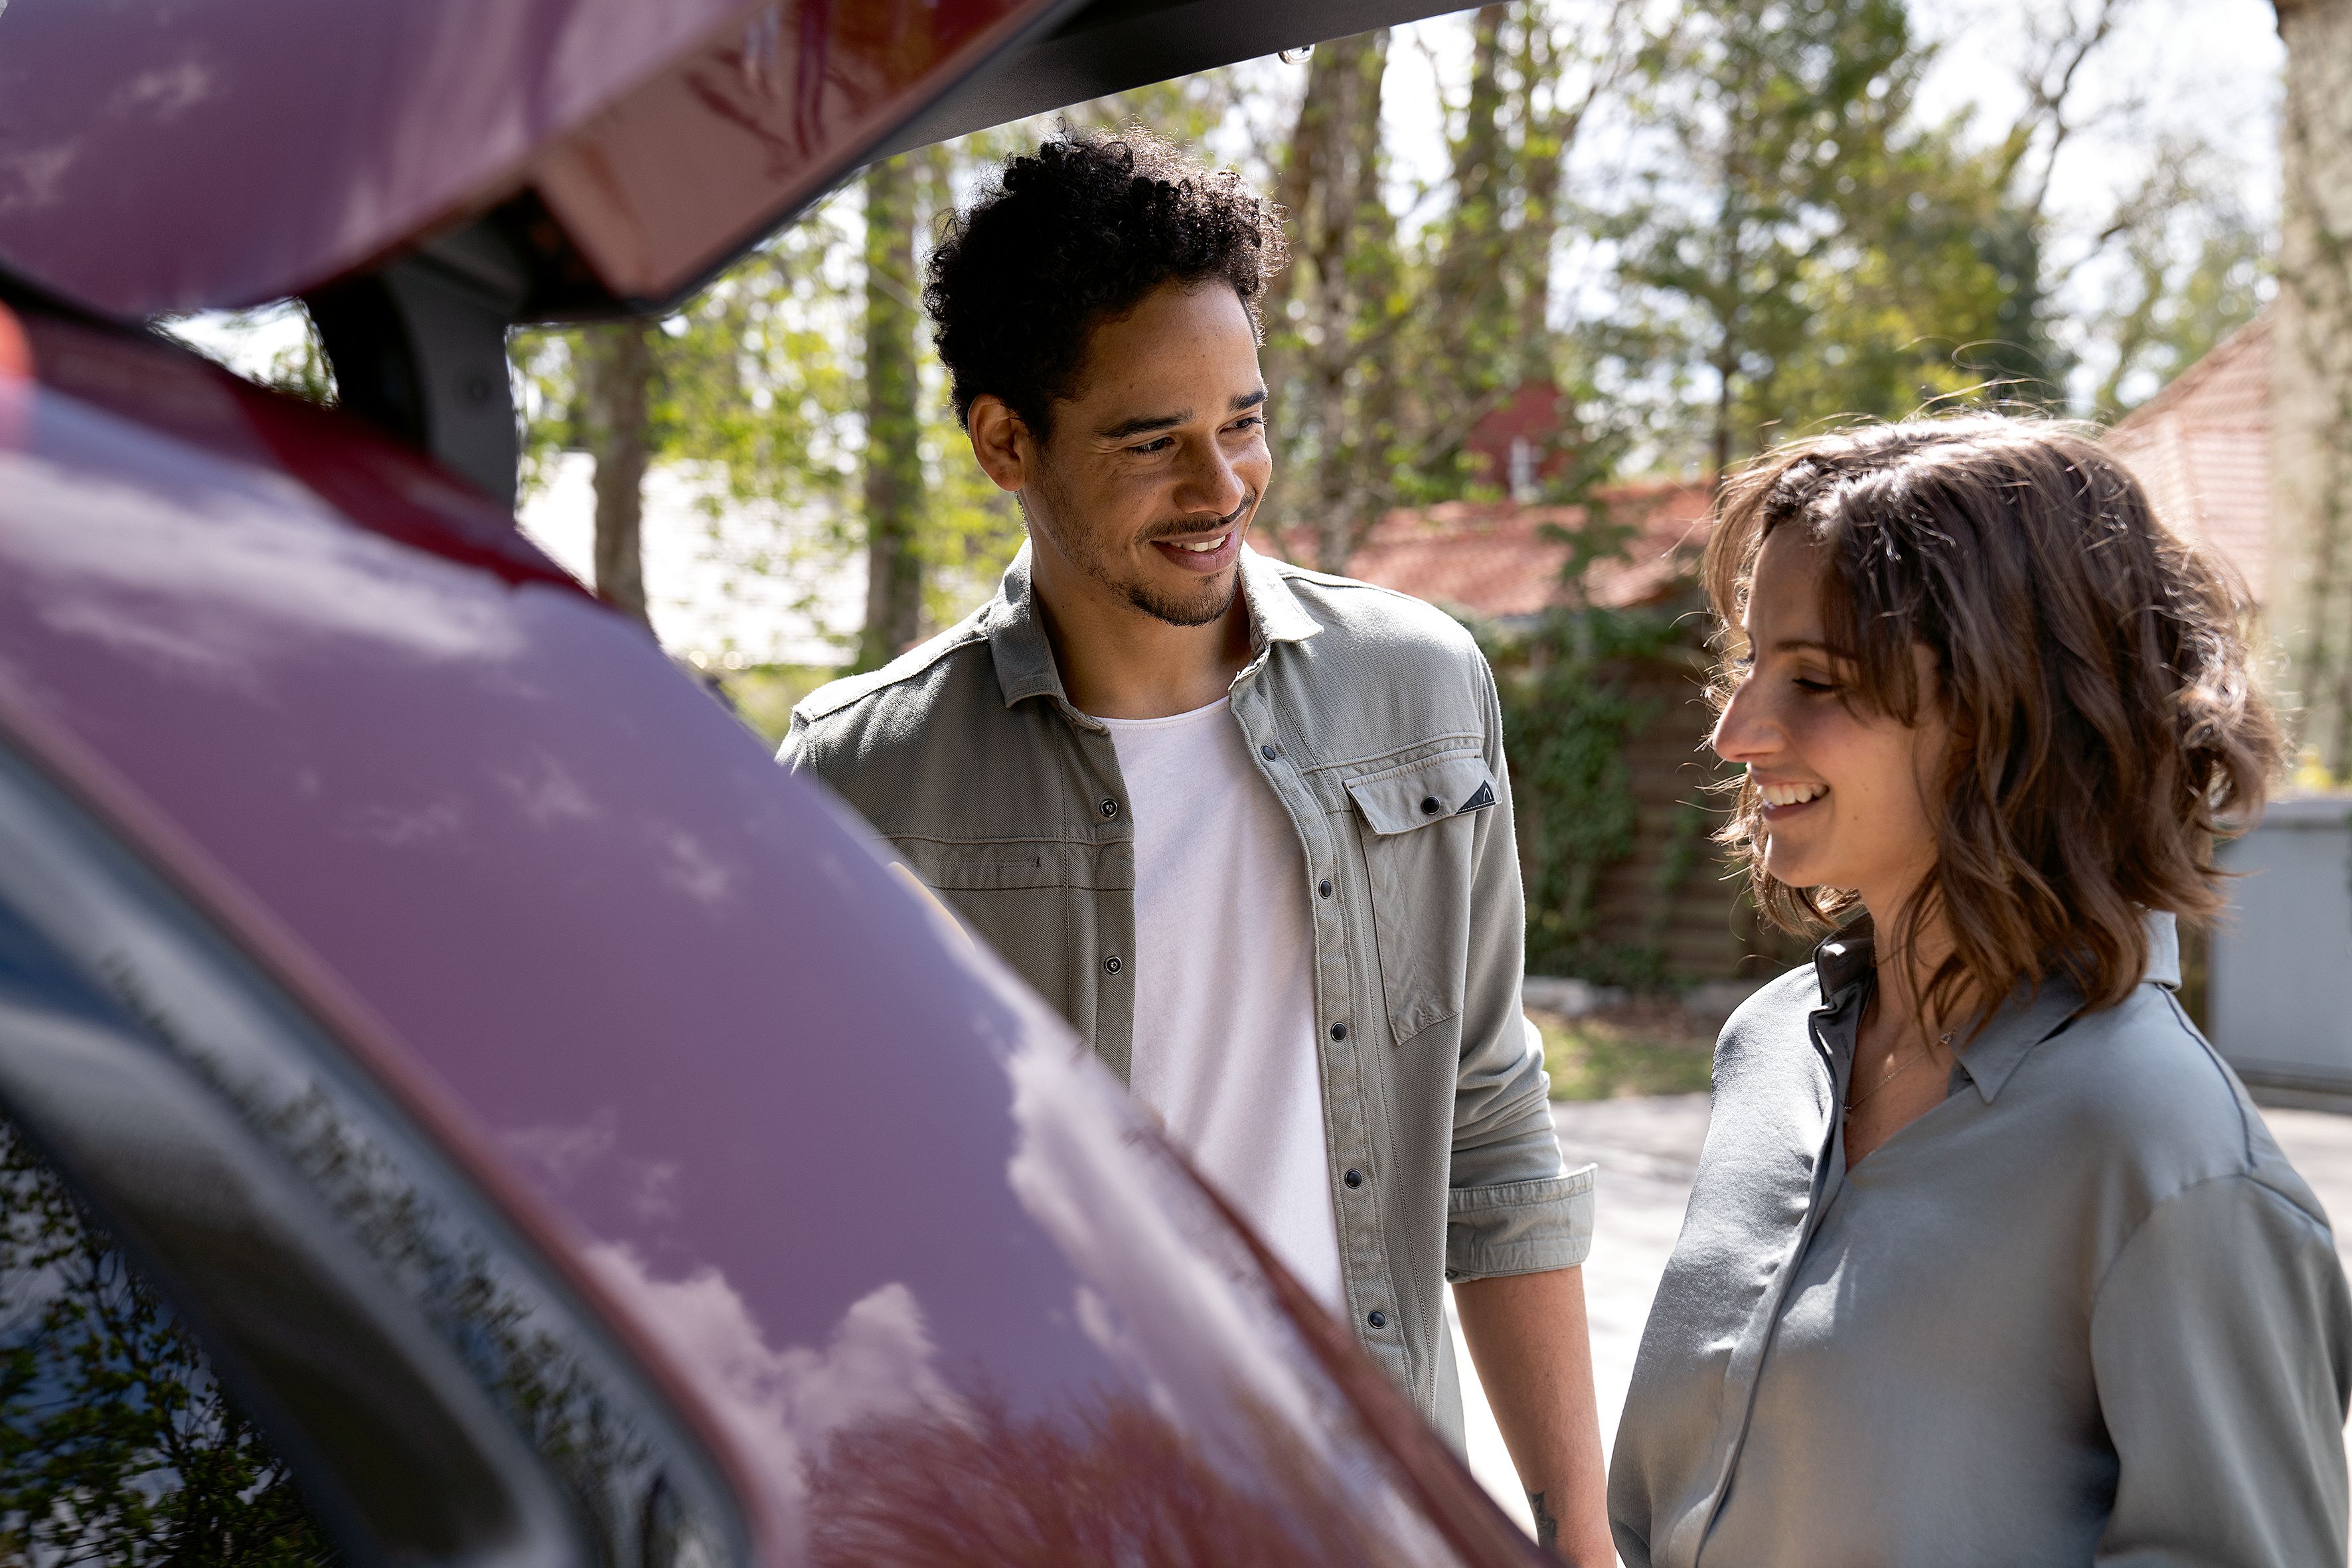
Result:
862,1202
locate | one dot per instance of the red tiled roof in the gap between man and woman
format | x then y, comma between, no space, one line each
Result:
1502,561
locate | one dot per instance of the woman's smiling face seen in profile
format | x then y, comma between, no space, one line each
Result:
1847,791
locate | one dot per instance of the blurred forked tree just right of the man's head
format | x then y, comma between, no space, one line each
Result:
1384,354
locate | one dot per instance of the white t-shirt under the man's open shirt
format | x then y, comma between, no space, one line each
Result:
1224,1045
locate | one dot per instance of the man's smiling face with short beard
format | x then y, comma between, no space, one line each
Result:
1156,467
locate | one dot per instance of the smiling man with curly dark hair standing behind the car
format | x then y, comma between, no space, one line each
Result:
1245,826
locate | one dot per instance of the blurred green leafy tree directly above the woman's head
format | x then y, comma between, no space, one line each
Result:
1800,248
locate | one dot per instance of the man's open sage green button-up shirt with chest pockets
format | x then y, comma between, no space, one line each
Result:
1375,723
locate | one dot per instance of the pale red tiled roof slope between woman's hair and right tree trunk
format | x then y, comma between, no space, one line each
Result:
2203,450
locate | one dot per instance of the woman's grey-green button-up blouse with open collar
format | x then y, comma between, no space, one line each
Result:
2078,1313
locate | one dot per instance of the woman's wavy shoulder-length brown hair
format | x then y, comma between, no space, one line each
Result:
2106,725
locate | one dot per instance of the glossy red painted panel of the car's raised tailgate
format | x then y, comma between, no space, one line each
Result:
194,154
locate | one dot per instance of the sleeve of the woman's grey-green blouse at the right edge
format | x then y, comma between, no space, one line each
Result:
2221,1341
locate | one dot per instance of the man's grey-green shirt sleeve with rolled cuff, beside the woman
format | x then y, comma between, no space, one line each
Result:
1511,1209
